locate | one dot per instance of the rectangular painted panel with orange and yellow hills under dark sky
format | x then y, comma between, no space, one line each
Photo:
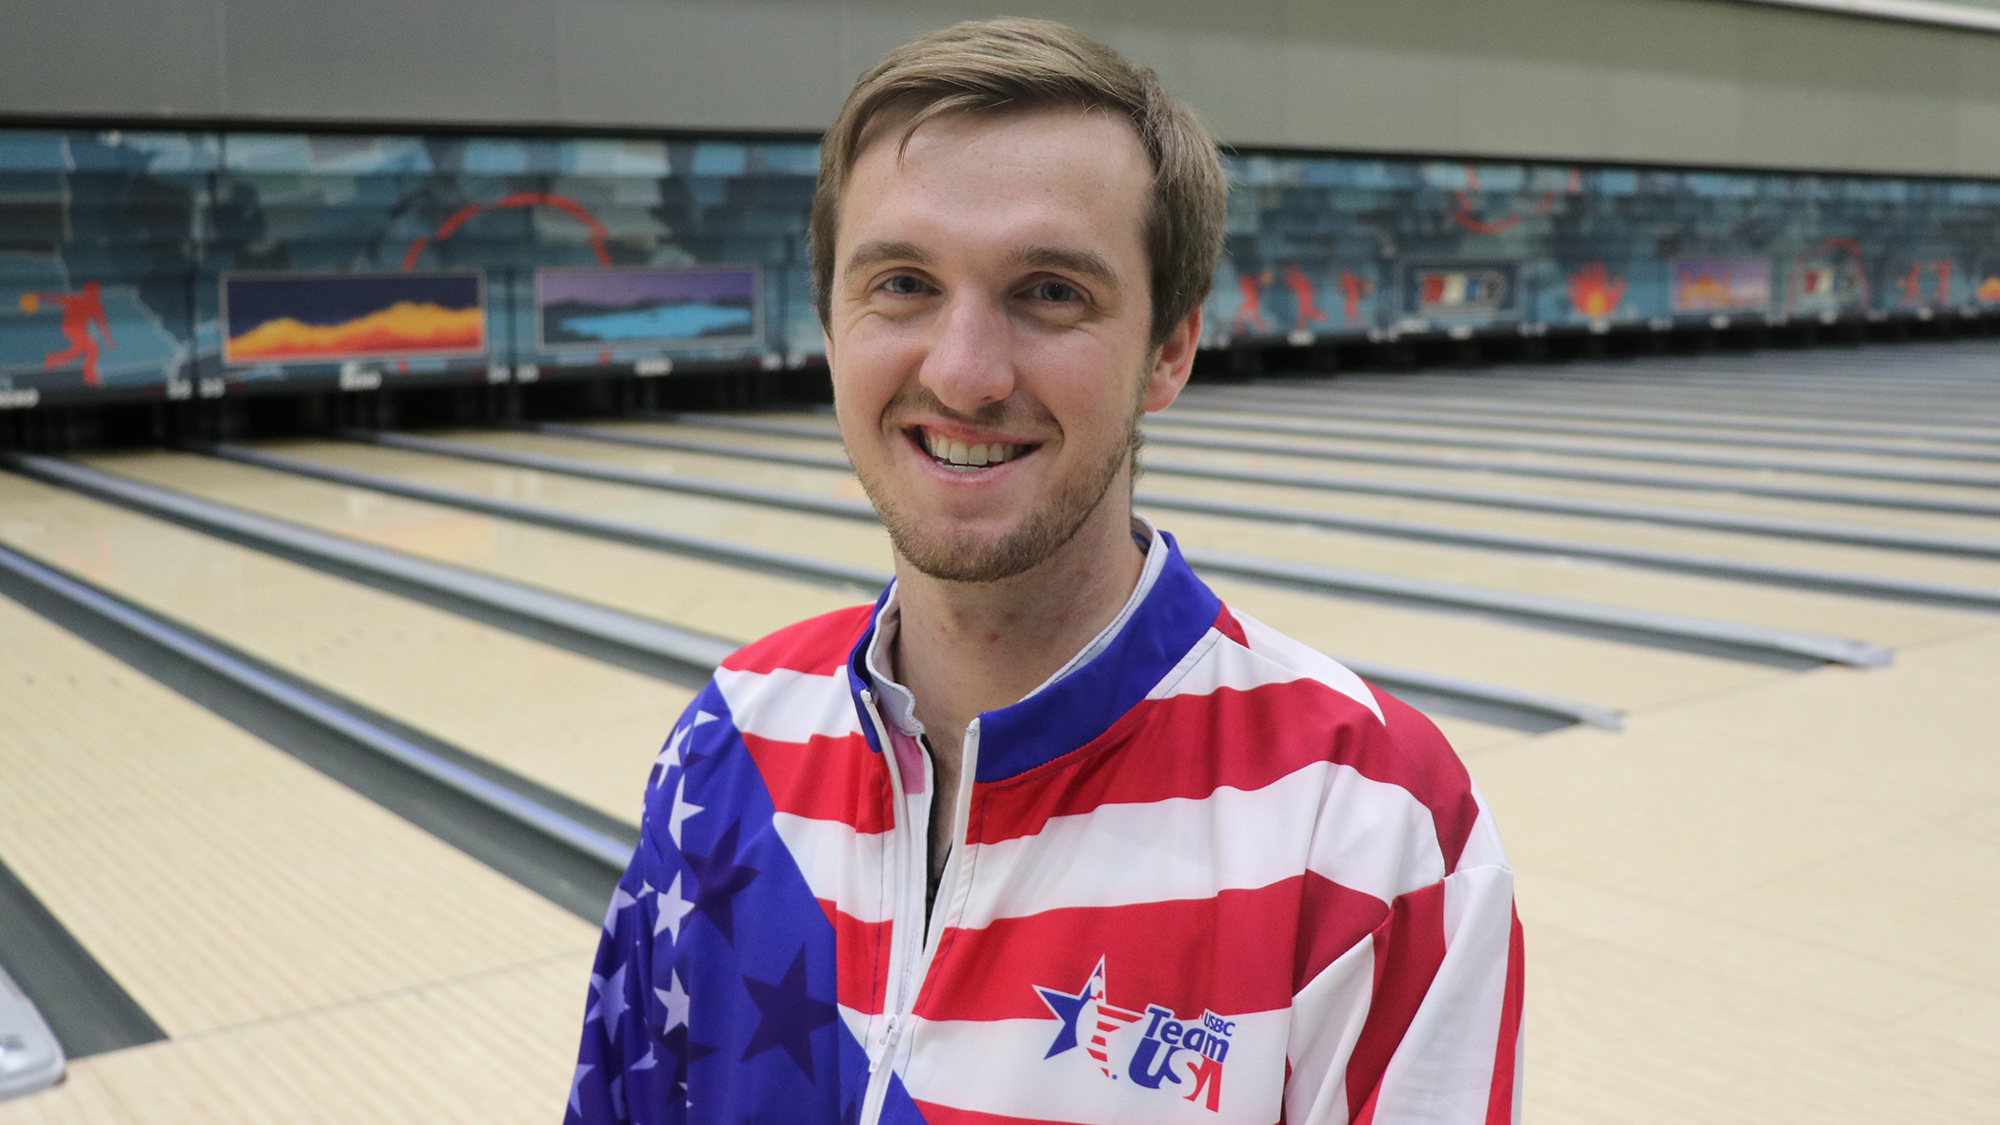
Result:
353,317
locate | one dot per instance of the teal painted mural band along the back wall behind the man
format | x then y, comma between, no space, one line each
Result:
151,263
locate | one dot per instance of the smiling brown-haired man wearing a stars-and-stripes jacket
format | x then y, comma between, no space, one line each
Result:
1047,834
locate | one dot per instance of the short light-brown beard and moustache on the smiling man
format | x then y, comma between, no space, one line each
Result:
1031,543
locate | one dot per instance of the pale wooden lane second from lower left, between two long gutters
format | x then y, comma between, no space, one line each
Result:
591,732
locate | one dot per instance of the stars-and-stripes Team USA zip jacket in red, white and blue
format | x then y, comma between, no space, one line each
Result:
1209,876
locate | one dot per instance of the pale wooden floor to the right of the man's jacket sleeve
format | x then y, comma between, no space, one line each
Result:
1767,906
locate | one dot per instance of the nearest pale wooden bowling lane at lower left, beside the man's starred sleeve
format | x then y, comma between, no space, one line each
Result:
219,880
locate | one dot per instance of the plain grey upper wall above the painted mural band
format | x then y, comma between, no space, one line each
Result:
1669,81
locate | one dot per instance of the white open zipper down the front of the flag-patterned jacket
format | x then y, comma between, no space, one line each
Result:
915,936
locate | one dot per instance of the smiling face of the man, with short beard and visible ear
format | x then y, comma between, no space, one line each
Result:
991,333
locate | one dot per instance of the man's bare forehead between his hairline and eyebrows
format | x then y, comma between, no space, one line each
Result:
1025,175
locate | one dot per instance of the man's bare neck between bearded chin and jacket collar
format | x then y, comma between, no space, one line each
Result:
971,648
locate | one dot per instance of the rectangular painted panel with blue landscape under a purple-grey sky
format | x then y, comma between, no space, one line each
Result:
647,307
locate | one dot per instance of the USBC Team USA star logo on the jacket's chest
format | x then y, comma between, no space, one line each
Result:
1149,1048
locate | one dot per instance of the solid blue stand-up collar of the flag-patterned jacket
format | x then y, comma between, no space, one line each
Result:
1079,708
